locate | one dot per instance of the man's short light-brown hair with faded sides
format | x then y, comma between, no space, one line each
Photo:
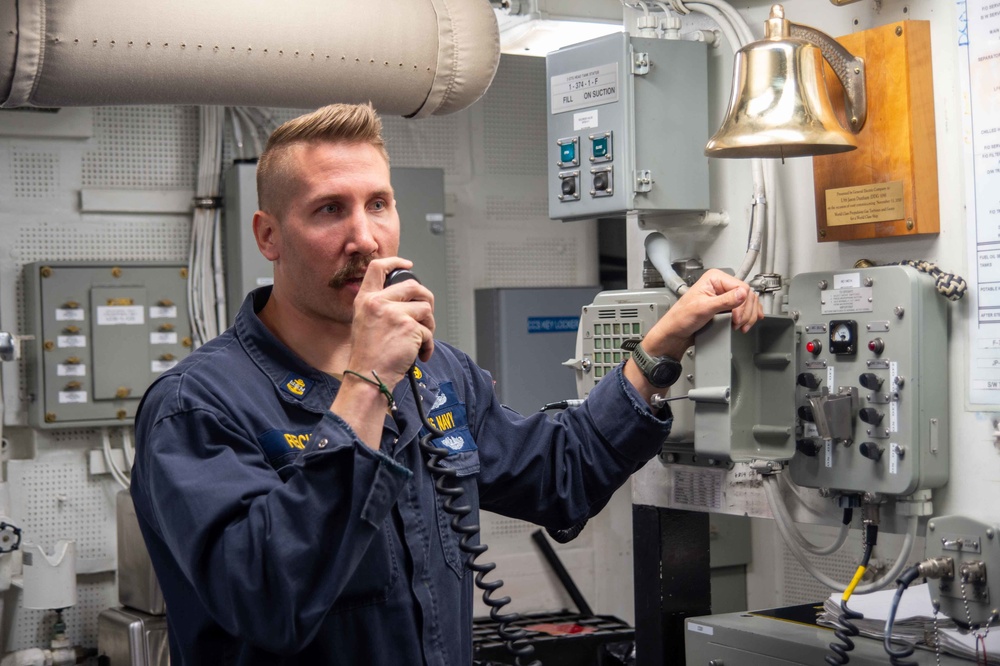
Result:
347,123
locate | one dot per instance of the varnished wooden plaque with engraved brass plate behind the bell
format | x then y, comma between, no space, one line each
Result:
858,192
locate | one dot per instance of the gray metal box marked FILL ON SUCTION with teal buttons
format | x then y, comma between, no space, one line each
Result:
627,127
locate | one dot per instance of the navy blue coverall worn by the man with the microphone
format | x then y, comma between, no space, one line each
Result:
278,537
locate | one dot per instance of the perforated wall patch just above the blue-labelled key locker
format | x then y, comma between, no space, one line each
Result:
535,262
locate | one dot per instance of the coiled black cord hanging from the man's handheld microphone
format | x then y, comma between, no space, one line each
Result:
513,637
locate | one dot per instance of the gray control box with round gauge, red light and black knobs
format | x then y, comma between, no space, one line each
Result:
872,382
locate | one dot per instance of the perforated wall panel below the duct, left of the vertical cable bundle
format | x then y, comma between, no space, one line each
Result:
143,148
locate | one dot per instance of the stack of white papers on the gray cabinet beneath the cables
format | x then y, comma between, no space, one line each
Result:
914,623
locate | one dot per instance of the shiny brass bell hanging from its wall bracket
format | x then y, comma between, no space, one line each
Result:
779,106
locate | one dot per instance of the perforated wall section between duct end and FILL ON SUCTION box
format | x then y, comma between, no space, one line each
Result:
515,110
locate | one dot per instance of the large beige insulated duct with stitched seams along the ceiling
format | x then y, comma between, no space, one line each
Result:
408,57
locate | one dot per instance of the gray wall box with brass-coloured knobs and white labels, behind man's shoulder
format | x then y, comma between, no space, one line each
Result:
102,334
